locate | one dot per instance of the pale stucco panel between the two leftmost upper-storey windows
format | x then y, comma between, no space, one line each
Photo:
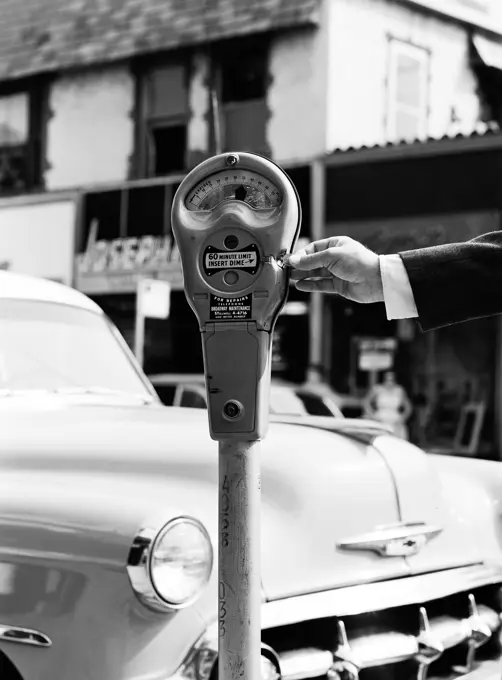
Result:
90,133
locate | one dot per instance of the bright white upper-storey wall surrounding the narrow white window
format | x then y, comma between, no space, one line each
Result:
358,55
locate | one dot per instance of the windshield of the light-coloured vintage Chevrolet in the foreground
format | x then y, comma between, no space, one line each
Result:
54,347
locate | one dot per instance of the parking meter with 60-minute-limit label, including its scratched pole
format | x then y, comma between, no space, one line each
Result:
235,218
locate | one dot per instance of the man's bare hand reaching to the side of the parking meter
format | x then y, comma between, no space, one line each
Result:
338,265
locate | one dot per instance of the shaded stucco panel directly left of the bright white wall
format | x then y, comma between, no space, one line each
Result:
297,93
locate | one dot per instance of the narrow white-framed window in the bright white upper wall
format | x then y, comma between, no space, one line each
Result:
407,93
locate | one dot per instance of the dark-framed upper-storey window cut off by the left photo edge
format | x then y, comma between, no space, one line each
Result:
20,148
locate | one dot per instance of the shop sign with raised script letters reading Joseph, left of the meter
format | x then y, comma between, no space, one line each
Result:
118,265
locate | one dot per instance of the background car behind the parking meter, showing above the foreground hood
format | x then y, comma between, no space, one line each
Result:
180,389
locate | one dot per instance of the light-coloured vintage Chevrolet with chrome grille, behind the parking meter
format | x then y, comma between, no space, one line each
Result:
378,561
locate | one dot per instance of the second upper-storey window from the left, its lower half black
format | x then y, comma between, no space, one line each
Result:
163,120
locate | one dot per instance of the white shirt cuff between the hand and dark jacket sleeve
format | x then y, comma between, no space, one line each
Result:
397,293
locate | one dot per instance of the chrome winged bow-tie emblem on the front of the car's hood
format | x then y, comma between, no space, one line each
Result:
393,540
